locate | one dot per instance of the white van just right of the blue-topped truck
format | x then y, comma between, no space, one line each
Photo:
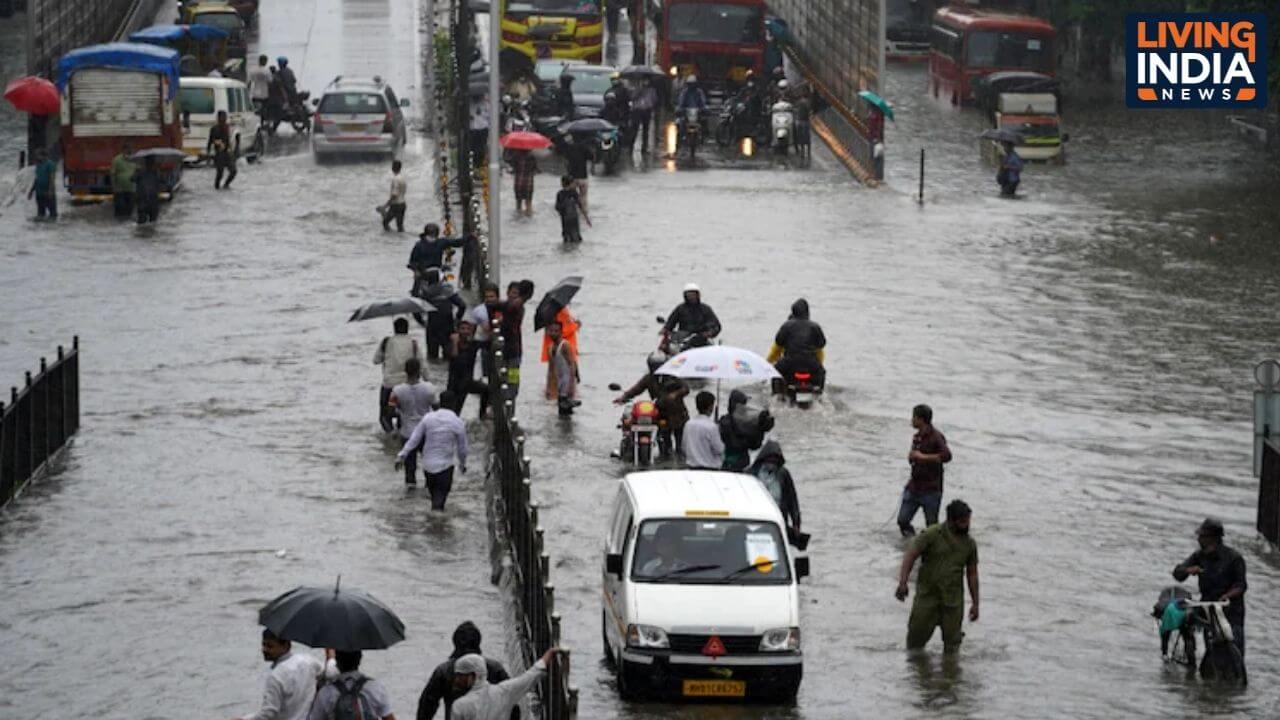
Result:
200,101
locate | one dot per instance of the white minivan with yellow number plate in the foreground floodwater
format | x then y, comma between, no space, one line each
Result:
701,590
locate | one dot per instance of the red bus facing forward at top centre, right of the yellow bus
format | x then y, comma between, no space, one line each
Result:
717,40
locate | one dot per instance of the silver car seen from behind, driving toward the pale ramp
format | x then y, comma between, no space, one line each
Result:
359,117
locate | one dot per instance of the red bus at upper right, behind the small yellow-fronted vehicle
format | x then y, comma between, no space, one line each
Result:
967,43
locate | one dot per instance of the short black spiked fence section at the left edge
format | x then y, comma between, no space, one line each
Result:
39,421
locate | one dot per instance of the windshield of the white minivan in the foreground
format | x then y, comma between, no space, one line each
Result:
698,552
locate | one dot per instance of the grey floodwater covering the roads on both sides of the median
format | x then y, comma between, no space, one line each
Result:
1087,350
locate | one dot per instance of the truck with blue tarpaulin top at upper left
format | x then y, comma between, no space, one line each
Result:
112,95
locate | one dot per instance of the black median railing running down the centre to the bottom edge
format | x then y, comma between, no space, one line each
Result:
518,516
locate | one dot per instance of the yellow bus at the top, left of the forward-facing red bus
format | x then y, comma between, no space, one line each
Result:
555,29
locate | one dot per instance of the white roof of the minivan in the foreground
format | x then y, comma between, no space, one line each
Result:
678,494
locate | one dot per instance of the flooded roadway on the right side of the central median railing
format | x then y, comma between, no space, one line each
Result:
1087,350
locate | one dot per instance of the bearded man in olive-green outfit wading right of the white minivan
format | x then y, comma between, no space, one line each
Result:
950,557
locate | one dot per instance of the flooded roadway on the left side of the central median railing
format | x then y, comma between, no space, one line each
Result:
230,448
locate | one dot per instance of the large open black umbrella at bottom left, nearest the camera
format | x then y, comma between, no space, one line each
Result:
332,618
